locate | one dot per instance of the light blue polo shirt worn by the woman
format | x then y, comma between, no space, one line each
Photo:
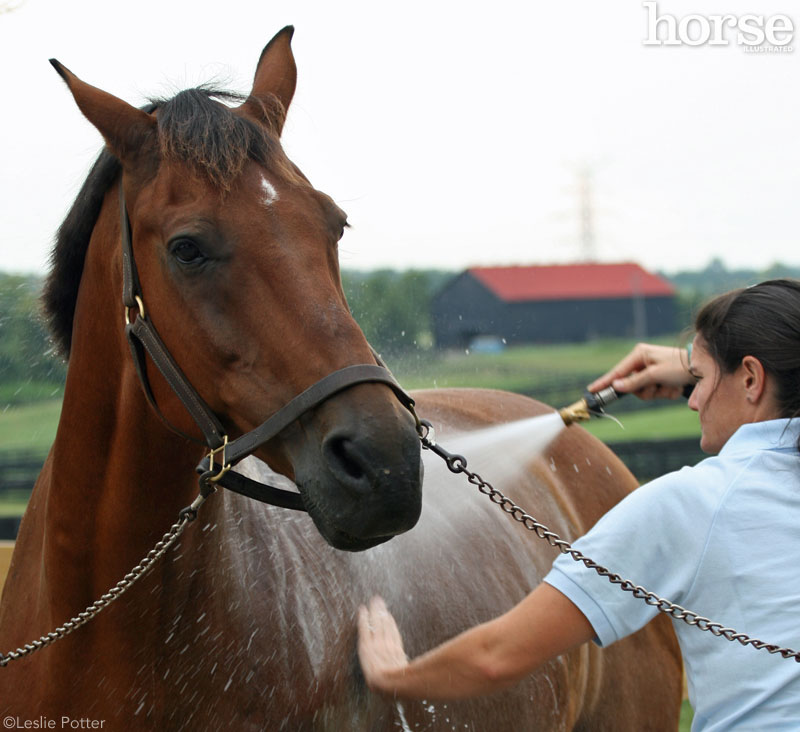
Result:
721,539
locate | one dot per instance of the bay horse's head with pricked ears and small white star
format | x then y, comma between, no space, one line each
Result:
236,254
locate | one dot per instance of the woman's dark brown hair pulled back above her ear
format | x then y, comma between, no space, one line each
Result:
762,321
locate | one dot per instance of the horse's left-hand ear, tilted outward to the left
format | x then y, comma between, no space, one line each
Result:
128,131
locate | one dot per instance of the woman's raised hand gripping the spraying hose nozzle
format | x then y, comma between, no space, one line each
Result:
650,372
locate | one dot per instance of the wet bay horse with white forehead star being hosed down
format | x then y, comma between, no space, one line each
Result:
249,622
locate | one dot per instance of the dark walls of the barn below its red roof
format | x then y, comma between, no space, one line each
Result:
465,309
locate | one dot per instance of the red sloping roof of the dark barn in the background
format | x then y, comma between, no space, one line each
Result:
571,282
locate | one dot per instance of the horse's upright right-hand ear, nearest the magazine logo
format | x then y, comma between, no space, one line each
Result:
276,78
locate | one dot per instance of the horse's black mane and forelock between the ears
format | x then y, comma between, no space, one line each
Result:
194,127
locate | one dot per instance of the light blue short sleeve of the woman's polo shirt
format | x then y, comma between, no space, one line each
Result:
655,538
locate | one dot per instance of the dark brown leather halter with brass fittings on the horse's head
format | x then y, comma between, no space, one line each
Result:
144,341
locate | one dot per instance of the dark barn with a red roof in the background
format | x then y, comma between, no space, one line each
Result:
552,304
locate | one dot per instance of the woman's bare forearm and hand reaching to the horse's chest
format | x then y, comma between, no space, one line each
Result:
486,658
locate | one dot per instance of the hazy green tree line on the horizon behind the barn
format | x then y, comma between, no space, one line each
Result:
392,307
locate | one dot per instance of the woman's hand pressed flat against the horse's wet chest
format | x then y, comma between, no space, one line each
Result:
380,647
